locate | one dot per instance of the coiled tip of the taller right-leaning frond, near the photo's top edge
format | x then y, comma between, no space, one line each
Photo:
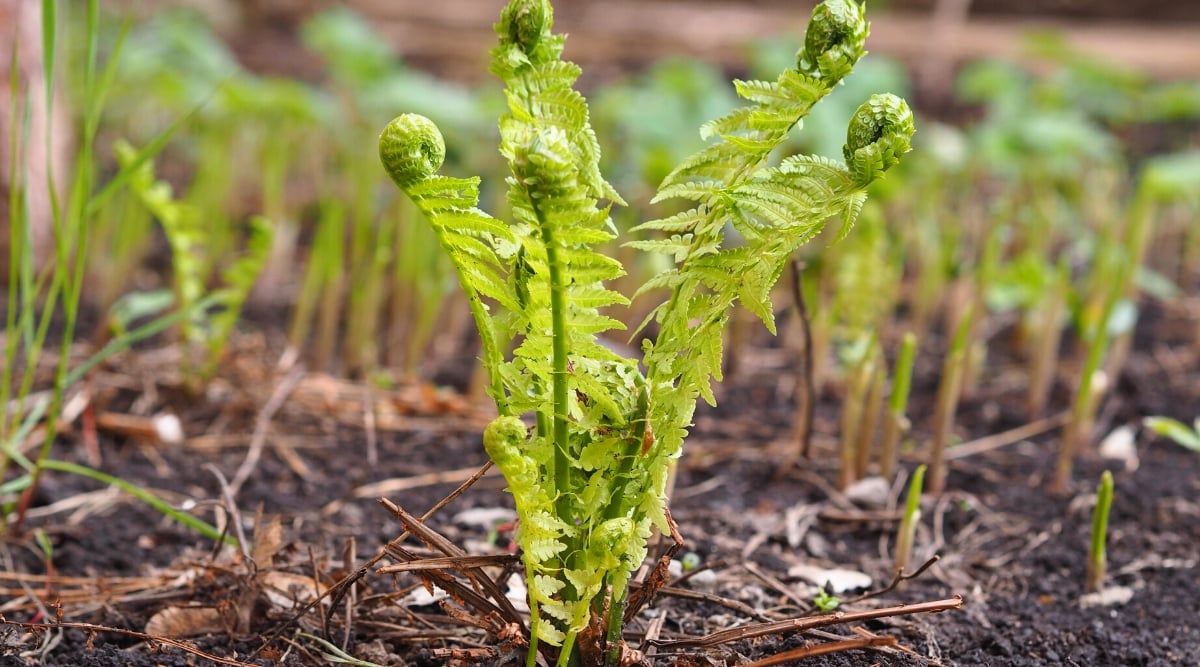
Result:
835,40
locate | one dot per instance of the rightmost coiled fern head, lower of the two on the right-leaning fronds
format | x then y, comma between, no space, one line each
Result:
880,133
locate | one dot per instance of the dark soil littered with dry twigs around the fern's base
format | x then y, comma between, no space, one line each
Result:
1012,551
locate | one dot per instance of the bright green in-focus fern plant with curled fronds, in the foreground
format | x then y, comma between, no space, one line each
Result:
590,472
